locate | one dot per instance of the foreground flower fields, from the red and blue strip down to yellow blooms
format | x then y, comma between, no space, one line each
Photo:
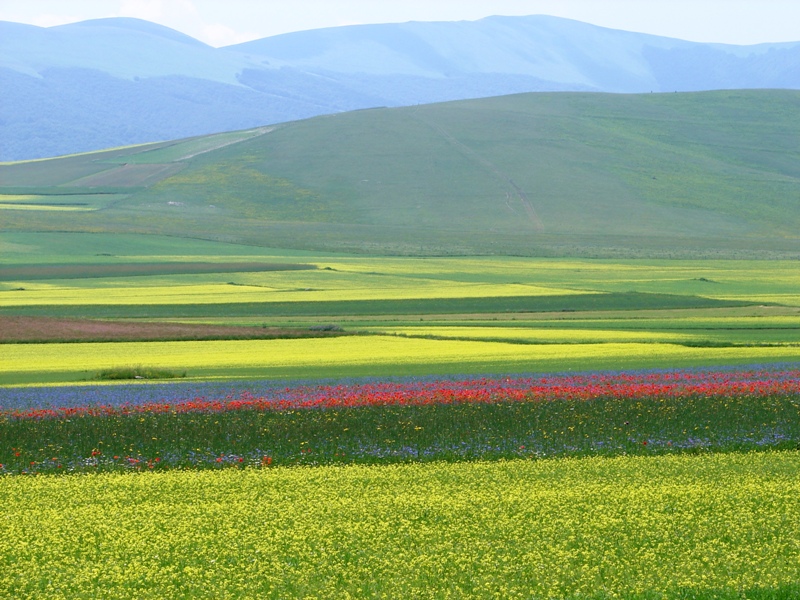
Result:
651,485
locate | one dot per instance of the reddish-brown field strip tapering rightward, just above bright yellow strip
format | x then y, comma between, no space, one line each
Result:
50,329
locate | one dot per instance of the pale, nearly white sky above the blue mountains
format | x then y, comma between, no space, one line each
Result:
225,22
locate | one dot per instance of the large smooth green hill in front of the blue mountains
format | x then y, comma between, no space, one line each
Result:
696,174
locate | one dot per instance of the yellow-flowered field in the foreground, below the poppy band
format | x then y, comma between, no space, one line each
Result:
717,527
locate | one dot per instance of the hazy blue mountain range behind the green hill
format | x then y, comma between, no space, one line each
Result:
109,82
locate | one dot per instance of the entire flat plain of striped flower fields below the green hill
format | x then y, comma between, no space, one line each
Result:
416,476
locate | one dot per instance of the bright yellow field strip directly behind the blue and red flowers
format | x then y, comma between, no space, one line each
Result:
377,354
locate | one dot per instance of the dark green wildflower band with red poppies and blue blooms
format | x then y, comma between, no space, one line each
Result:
372,422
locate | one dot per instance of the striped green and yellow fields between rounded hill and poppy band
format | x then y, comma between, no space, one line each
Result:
413,315
